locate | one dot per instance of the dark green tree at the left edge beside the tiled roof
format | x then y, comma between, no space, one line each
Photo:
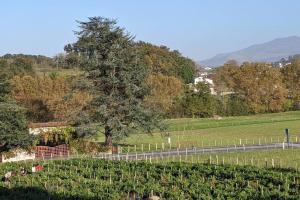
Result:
13,128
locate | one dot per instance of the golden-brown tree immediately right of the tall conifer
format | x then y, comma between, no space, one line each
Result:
164,91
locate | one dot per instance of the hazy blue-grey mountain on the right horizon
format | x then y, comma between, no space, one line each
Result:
271,51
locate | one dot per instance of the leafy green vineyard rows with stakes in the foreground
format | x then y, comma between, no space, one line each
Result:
85,178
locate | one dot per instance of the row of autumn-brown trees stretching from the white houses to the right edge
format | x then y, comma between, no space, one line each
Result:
257,88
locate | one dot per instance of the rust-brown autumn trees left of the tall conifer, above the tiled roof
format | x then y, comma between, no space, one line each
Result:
48,97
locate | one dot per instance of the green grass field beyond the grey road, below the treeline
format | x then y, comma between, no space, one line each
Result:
229,131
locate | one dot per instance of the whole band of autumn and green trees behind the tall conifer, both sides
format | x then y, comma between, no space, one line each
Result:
243,89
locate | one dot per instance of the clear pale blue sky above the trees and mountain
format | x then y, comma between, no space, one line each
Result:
199,29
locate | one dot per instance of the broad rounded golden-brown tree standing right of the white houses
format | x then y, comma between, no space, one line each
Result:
262,86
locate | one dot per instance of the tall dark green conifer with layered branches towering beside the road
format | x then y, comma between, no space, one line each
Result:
108,55
